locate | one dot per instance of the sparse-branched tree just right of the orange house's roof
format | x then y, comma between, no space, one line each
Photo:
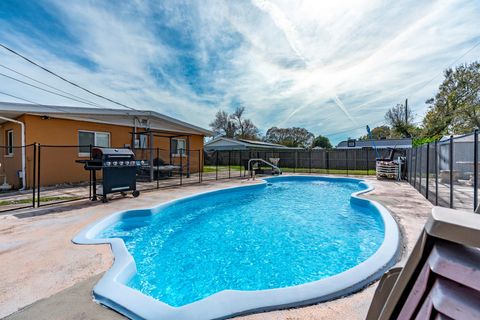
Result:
234,125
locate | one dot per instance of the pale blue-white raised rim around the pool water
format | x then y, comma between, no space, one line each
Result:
111,291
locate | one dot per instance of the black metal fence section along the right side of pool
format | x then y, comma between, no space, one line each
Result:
446,171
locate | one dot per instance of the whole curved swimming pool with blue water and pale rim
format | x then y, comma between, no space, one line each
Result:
290,241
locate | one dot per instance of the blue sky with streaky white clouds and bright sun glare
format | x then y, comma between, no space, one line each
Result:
329,66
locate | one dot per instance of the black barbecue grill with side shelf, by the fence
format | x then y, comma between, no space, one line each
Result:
118,168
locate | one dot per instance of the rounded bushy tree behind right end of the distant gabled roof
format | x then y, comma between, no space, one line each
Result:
290,137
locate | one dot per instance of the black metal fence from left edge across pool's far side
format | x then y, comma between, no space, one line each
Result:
52,175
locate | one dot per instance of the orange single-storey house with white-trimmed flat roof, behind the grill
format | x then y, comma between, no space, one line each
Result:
67,133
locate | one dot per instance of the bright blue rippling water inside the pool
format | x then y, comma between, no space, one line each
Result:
289,232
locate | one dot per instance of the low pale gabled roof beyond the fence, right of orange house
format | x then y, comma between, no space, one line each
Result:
224,143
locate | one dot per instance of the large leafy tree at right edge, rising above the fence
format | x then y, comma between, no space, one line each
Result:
456,106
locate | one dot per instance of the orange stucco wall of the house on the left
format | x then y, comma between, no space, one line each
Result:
58,161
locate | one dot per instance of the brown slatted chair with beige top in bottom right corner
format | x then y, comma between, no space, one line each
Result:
441,278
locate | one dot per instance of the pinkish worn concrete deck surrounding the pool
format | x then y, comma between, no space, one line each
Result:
48,276
